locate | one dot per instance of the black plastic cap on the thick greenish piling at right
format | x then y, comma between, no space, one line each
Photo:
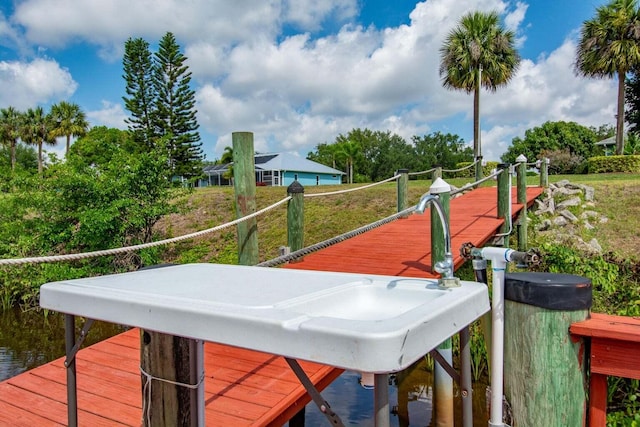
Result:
553,291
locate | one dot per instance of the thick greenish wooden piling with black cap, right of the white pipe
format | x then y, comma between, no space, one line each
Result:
544,367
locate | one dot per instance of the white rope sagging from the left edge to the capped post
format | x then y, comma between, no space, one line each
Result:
115,251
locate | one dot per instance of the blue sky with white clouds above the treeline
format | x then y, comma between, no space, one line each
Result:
298,73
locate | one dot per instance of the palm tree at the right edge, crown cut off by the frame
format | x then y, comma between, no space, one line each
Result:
609,46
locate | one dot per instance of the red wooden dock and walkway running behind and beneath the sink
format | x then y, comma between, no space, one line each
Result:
242,387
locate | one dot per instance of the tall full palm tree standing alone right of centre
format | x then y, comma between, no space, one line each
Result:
479,52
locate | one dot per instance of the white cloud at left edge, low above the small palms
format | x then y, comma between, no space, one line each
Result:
27,84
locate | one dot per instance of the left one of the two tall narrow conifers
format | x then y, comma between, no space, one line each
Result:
141,91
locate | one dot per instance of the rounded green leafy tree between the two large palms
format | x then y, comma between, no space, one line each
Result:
576,139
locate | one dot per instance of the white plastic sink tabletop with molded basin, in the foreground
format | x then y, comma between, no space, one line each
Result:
362,322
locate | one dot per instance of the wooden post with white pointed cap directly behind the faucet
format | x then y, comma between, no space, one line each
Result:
443,389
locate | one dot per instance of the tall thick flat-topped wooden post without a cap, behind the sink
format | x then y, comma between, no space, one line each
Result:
244,178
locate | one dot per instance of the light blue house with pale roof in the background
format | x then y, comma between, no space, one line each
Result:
279,169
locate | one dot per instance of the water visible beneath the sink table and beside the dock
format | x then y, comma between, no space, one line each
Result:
30,339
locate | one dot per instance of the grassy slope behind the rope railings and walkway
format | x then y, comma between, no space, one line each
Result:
617,197
